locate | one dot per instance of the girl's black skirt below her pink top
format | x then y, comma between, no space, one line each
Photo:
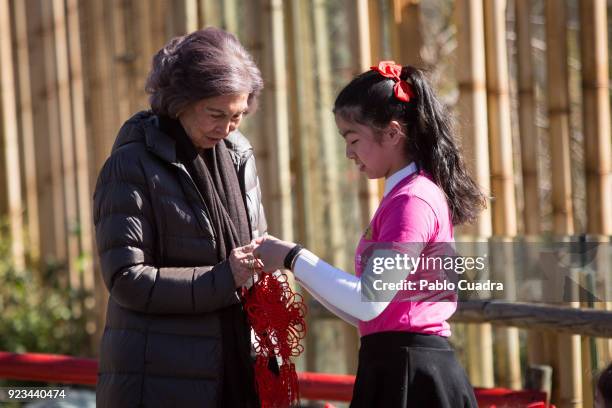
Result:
401,369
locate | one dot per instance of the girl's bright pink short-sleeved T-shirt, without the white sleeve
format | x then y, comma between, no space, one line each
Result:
414,210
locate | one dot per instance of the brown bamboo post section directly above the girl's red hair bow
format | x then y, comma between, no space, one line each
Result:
406,33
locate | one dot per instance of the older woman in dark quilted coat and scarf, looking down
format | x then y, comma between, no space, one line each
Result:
175,207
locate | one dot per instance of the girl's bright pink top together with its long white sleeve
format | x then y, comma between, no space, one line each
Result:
412,217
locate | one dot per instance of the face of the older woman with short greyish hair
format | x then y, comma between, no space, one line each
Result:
210,120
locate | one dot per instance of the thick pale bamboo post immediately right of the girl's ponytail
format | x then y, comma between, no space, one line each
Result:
473,130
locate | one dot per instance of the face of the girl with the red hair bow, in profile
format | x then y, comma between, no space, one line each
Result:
375,156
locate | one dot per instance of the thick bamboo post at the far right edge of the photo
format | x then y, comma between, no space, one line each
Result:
597,142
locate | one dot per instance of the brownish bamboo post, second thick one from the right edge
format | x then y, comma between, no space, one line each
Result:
568,388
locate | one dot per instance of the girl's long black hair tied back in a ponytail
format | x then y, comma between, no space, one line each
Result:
369,100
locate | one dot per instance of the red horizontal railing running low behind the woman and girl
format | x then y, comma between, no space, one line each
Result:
314,386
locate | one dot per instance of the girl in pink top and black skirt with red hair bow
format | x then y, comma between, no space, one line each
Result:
394,127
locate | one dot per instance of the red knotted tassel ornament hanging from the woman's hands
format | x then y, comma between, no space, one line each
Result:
277,316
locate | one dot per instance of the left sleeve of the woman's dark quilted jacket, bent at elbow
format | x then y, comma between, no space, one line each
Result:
126,239
